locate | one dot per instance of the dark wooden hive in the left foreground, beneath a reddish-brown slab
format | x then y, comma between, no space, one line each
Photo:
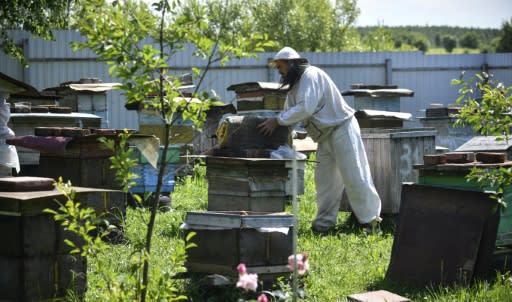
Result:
35,264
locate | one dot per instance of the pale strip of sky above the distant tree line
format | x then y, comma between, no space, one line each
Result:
462,13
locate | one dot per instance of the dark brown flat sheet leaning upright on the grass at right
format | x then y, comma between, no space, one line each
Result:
444,236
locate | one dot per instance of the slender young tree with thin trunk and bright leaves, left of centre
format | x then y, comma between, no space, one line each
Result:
138,42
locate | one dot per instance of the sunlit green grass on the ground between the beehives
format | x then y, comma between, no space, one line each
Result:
344,262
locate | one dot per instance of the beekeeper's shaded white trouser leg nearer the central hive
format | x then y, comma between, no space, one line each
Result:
329,187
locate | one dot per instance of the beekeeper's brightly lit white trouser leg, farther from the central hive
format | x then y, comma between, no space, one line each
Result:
352,163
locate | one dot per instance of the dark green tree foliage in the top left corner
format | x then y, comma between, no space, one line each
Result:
37,17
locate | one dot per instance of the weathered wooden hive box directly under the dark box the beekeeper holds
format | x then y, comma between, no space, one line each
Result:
251,184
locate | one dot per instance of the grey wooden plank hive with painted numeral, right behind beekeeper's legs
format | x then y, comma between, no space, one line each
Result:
392,153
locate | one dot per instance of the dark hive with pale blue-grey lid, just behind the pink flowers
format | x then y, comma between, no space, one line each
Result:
262,241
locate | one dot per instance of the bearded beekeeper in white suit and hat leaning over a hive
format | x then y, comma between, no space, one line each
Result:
314,100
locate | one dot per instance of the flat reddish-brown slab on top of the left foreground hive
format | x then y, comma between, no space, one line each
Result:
25,183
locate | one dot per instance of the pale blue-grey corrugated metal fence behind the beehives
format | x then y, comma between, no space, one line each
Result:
429,76
